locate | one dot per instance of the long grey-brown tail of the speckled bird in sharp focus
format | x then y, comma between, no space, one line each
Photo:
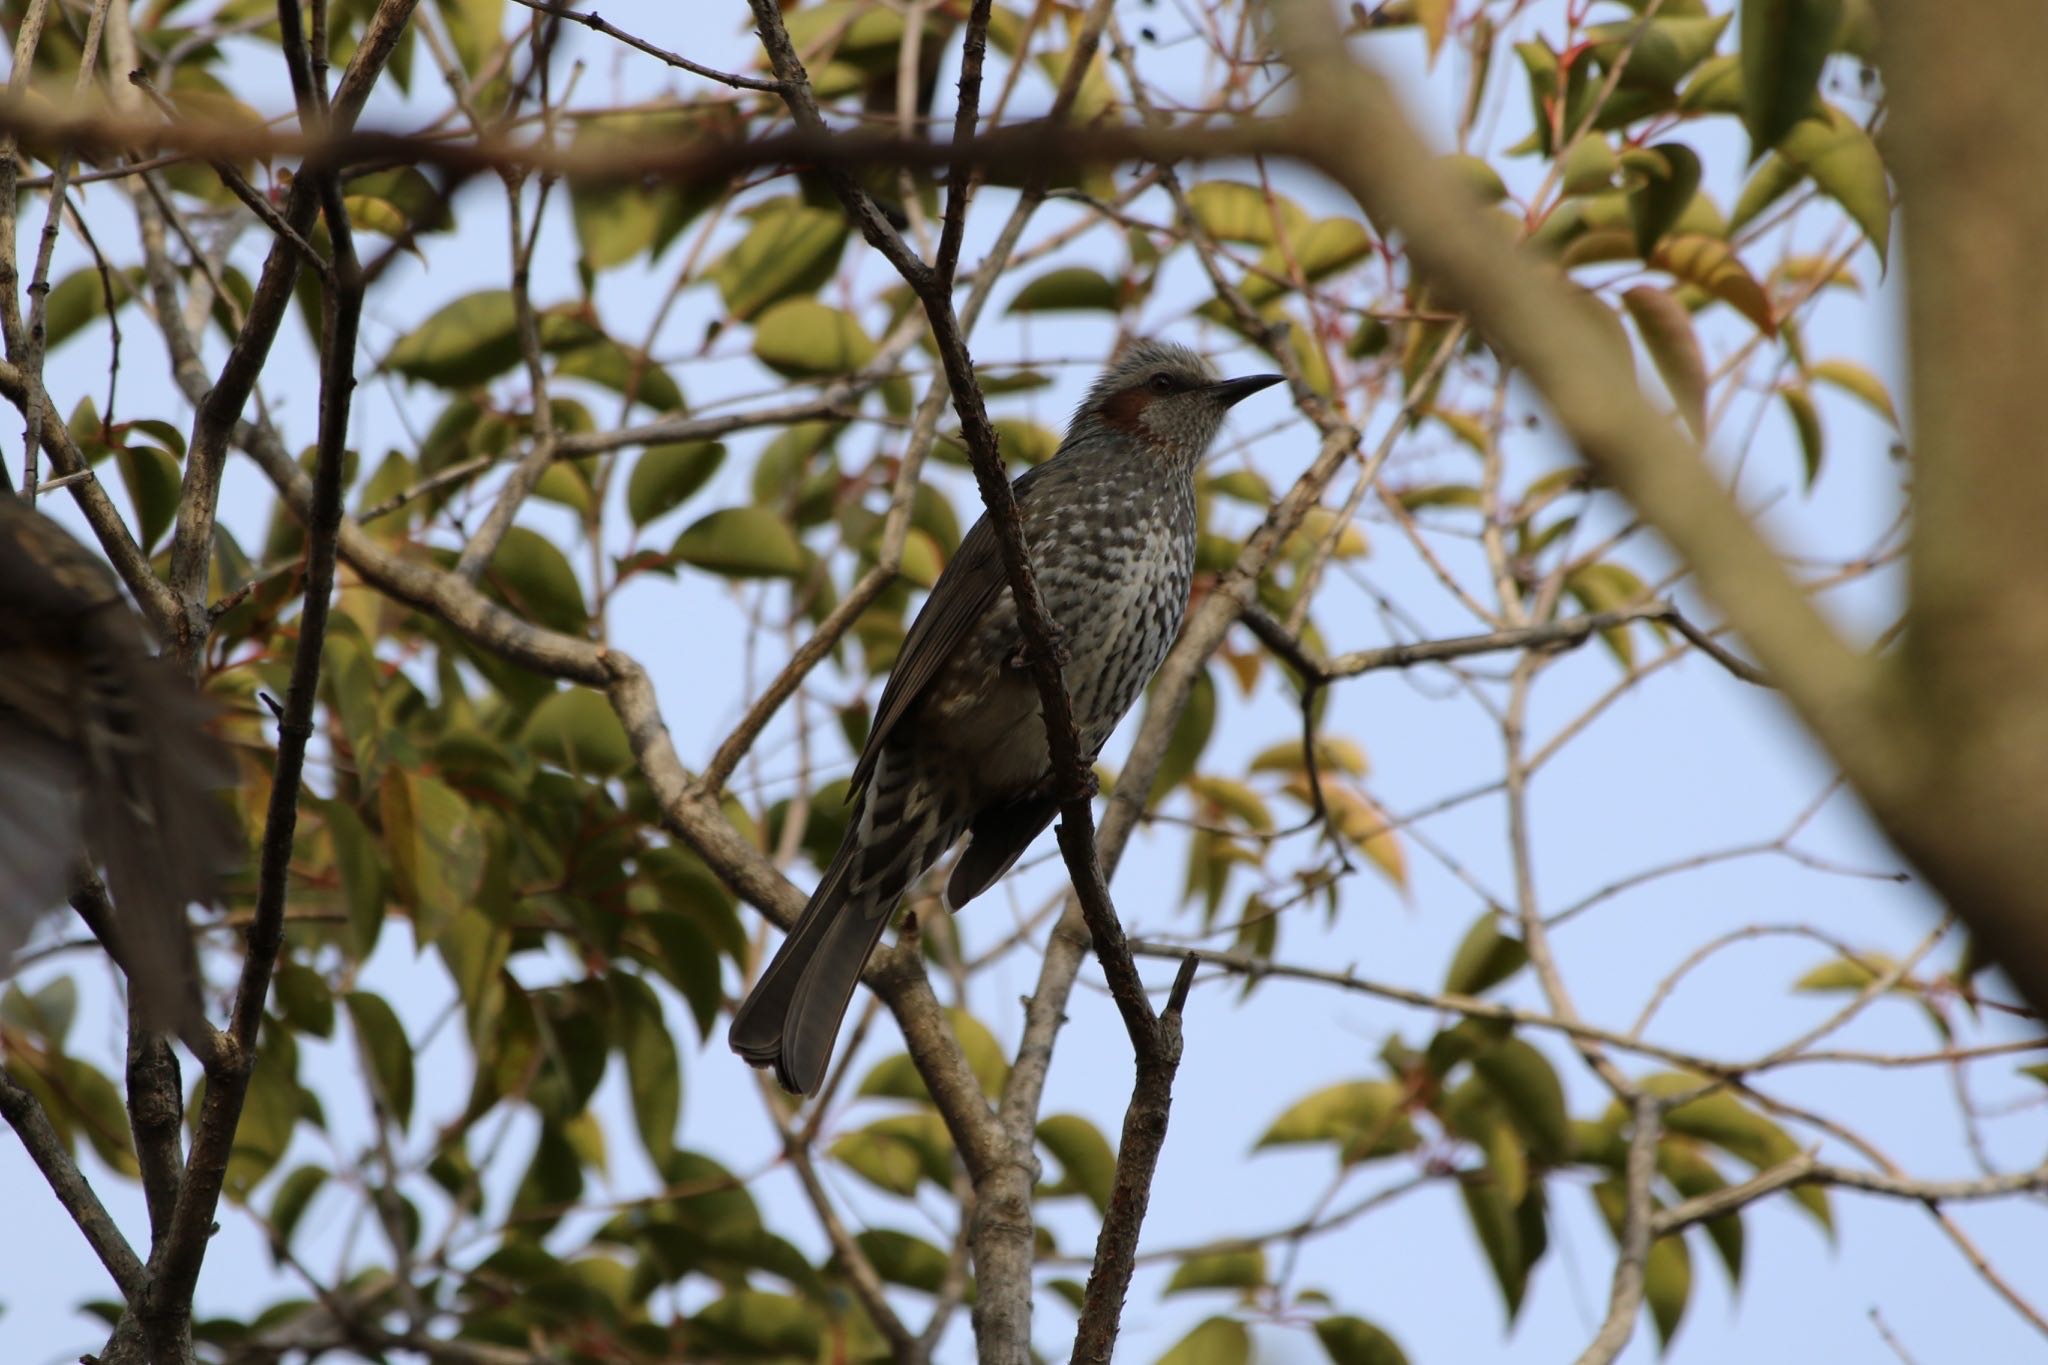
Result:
794,1014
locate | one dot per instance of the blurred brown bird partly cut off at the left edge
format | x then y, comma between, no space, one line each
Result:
103,760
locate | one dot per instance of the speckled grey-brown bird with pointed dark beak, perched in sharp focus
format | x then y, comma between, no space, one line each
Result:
959,744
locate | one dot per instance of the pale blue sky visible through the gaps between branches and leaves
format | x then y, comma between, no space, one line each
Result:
1684,764
